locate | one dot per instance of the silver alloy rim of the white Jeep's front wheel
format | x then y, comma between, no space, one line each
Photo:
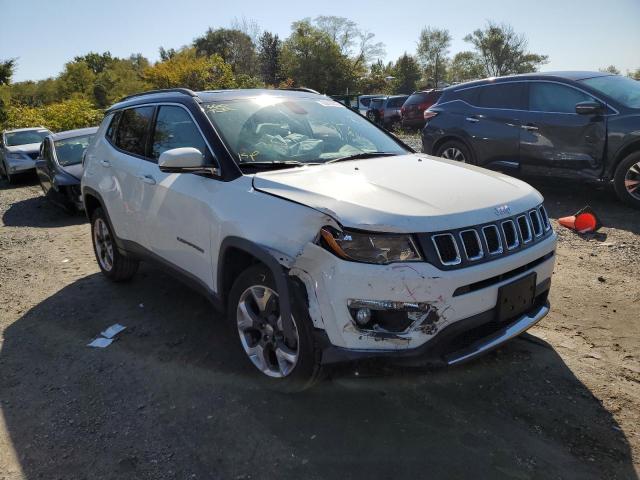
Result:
261,333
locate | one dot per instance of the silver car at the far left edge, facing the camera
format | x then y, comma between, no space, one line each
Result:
19,150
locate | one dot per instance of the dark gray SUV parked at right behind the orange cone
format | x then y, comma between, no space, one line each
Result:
577,124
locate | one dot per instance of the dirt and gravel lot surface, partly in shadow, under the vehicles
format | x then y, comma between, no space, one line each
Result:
173,397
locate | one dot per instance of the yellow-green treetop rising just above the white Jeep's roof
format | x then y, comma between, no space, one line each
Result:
186,69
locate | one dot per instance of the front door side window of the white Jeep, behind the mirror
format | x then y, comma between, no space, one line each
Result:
175,129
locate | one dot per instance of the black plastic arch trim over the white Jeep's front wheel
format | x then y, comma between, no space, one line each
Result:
280,275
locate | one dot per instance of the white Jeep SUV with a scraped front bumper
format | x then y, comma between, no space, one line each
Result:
324,238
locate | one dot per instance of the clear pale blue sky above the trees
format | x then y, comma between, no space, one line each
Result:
575,34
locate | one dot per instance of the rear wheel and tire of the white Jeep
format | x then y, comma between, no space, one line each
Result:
115,266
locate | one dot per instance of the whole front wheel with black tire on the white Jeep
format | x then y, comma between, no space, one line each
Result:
254,315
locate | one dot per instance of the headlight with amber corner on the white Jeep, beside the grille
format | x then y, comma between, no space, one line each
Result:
380,248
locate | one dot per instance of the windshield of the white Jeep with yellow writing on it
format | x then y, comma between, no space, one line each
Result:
268,128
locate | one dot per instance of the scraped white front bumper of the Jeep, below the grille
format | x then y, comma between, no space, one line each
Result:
454,311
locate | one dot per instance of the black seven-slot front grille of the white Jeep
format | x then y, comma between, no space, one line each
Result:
485,242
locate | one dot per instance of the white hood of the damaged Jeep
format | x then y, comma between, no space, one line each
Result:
407,193
